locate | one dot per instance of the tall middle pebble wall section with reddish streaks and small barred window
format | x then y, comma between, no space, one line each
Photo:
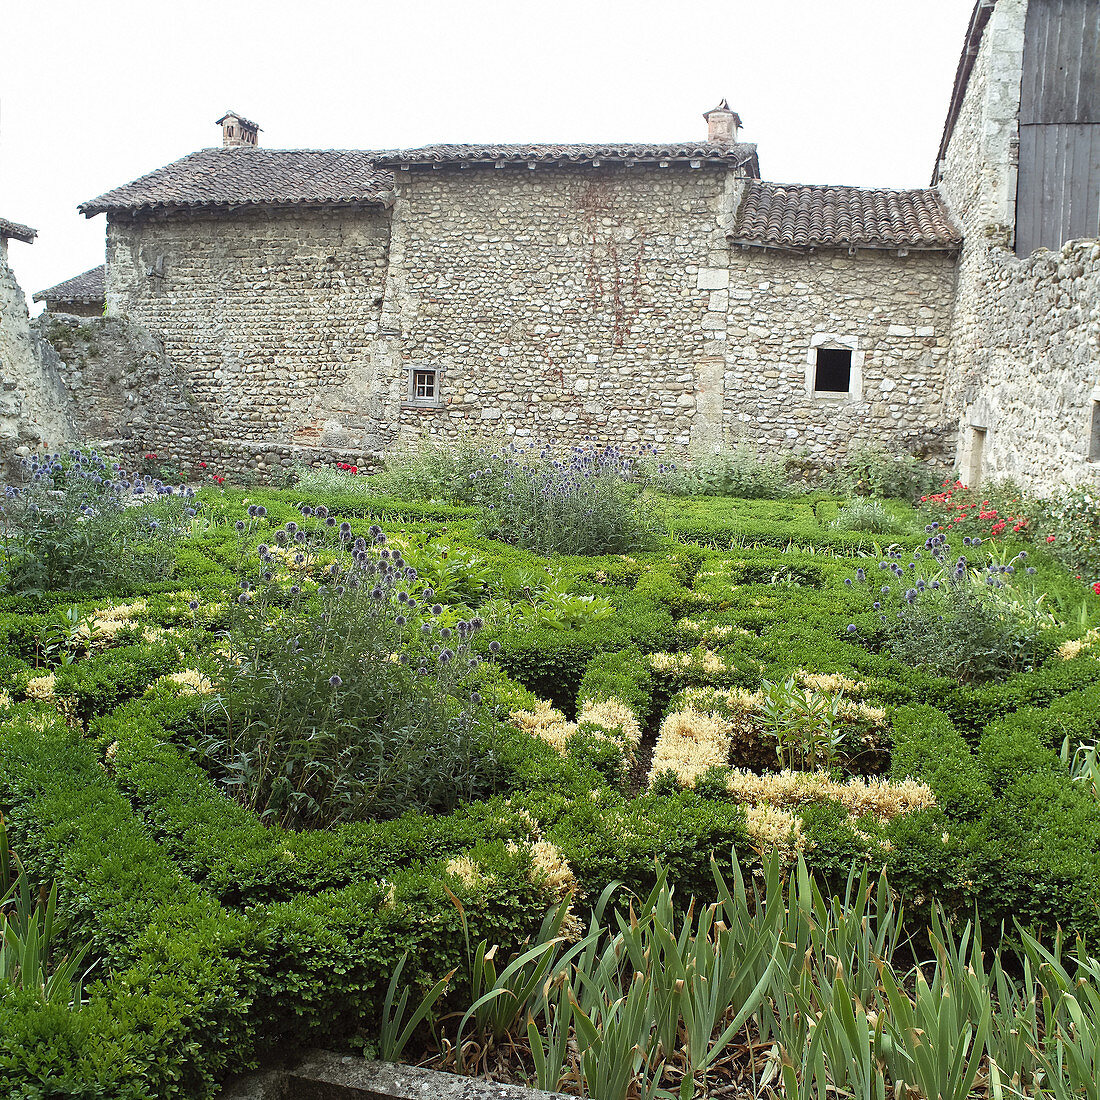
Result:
558,304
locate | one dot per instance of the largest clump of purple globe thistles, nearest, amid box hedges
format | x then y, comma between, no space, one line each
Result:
364,707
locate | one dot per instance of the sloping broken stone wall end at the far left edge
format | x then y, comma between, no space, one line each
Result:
34,401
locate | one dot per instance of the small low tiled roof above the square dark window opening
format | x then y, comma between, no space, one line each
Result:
796,216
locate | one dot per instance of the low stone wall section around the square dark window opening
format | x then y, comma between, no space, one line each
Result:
893,312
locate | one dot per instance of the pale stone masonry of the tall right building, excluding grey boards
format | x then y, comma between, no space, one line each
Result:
1024,366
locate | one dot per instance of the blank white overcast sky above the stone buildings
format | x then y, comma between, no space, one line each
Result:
94,95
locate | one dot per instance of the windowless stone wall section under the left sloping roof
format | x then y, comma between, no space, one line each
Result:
269,316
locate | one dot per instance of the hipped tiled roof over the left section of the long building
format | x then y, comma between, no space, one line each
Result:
246,174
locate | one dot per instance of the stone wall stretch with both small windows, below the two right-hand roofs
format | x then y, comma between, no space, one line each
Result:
607,303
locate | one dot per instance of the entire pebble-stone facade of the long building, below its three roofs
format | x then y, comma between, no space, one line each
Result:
556,305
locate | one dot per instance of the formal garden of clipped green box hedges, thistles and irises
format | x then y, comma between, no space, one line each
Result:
575,771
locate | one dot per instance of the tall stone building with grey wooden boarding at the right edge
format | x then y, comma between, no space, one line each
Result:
1025,377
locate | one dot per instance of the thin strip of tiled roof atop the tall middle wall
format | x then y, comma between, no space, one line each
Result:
738,155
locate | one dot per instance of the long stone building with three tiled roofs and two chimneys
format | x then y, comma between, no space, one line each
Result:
323,302
